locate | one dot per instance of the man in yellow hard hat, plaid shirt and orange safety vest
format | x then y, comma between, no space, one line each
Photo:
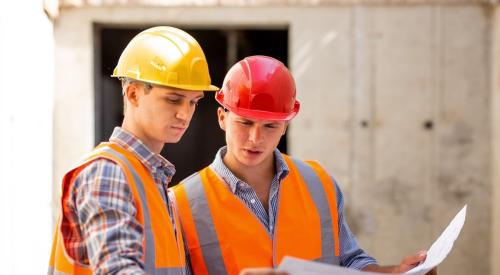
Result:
116,215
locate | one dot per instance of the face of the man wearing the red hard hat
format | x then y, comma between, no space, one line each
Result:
250,142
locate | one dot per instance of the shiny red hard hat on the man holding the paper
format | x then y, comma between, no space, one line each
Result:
259,87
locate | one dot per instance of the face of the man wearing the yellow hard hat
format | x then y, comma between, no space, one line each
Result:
163,114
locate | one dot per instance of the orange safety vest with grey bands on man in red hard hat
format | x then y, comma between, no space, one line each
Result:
224,236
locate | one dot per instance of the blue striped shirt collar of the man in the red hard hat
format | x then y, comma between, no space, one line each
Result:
232,181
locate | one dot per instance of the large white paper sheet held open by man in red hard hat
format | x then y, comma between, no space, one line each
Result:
435,255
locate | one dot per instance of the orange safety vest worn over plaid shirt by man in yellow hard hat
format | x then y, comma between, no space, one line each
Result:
163,251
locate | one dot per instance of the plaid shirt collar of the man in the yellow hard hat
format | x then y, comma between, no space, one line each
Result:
147,157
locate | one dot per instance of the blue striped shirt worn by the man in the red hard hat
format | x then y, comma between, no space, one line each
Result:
351,255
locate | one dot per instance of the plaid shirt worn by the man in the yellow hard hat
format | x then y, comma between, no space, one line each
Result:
99,226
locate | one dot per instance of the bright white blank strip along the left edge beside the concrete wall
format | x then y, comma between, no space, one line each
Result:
26,100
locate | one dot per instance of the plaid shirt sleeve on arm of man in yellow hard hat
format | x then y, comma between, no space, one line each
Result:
106,213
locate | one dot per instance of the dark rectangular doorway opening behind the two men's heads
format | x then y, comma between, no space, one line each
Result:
222,47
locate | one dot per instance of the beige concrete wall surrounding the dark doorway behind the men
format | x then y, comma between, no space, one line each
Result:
395,103
